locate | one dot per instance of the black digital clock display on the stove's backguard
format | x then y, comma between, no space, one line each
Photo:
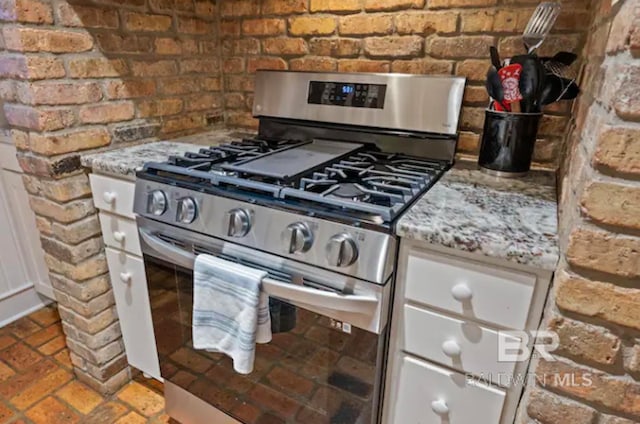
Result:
347,94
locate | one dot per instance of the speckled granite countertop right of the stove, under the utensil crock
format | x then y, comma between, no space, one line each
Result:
468,210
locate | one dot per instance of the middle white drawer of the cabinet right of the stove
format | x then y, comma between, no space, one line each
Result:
462,345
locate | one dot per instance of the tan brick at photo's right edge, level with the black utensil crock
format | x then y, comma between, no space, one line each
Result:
618,149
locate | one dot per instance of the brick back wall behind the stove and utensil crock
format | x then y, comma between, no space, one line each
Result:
414,36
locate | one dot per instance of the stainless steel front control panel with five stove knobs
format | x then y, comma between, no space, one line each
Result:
359,252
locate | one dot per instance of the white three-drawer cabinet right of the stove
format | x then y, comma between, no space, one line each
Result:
449,311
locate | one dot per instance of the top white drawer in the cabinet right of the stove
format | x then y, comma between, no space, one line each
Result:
485,293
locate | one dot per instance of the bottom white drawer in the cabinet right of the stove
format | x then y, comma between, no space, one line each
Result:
428,394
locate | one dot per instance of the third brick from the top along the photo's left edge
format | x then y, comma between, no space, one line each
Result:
30,67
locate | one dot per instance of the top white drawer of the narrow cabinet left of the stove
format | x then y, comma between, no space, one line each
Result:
113,195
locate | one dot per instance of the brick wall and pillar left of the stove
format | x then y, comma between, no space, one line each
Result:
83,75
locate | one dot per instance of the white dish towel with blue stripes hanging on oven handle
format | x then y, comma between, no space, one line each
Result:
230,312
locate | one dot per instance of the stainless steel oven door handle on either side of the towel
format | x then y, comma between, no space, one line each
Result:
363,304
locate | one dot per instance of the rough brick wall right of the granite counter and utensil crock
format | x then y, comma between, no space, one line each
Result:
595,306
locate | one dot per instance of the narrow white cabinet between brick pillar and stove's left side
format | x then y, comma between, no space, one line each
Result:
114,198
